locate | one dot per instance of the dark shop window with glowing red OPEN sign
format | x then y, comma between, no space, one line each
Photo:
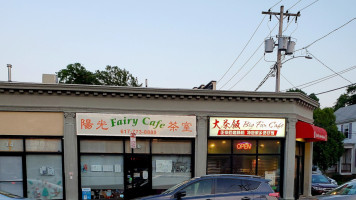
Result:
251,157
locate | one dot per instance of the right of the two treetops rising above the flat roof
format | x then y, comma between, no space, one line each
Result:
116,76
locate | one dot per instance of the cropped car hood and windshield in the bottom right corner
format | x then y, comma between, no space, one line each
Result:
347,191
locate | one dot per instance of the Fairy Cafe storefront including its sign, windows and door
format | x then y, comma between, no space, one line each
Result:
144,154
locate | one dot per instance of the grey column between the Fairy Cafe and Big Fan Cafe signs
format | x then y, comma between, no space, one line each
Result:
201,142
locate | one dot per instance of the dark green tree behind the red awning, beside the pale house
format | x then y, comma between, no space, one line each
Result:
326,154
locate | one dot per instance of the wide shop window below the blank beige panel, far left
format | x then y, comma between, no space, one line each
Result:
31,167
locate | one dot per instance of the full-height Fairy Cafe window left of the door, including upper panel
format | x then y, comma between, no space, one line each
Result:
102,169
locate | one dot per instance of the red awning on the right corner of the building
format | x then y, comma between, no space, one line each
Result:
310,133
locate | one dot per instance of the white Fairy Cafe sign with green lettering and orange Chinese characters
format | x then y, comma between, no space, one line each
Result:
140,125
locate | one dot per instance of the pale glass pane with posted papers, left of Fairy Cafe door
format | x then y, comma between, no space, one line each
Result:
102,172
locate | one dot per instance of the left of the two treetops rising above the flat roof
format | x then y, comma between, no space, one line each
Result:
77,74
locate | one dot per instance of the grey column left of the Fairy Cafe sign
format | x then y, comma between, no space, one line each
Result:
70,157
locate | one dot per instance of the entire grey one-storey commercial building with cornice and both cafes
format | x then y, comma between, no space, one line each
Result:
117,142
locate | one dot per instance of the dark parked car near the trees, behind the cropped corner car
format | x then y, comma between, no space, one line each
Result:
321,184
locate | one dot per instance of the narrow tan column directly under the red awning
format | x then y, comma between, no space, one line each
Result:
308,167
